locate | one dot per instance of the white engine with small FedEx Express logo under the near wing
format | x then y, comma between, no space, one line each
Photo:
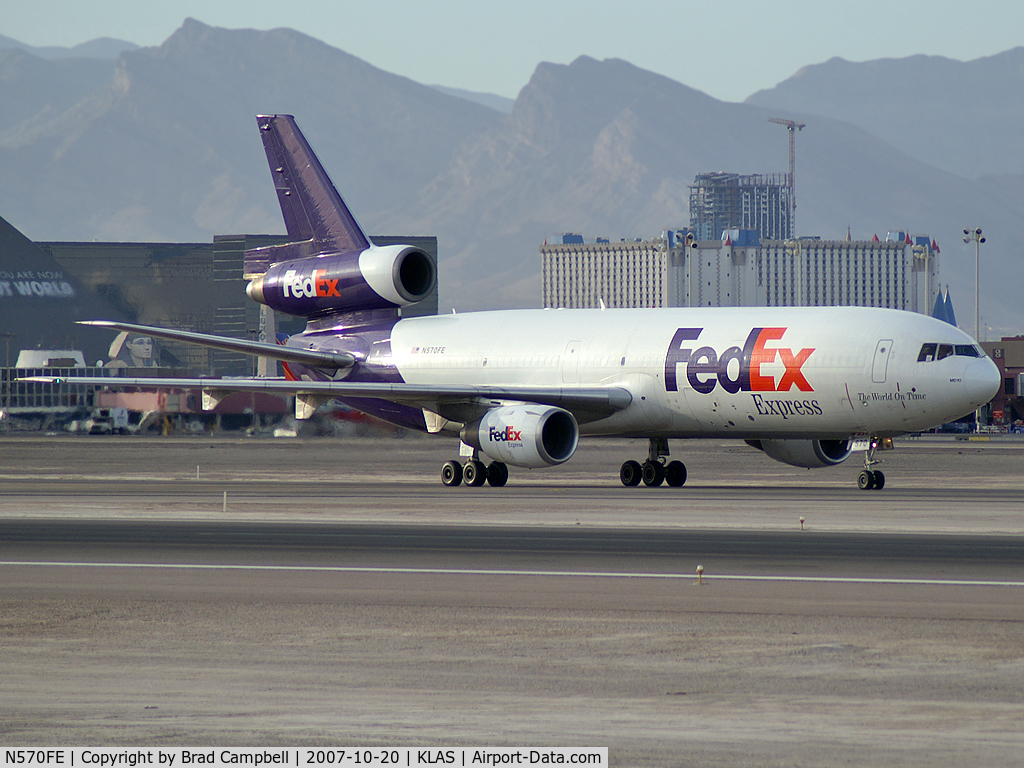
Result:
531,437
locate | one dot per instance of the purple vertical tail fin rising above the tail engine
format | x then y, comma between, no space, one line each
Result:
313,208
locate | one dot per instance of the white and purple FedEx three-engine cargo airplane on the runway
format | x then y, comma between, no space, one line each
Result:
805,386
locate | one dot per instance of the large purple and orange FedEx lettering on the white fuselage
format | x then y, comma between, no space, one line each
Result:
706,369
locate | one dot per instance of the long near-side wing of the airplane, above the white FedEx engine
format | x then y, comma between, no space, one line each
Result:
587,404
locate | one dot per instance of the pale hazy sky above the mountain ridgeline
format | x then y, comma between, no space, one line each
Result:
728,49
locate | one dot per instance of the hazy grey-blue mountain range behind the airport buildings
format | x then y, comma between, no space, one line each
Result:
161,145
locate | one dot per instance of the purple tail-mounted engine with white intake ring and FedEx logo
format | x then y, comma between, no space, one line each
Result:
379,278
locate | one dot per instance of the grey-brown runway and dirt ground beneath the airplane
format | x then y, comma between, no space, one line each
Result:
346,596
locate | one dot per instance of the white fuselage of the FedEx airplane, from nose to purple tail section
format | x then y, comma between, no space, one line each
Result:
745,373
